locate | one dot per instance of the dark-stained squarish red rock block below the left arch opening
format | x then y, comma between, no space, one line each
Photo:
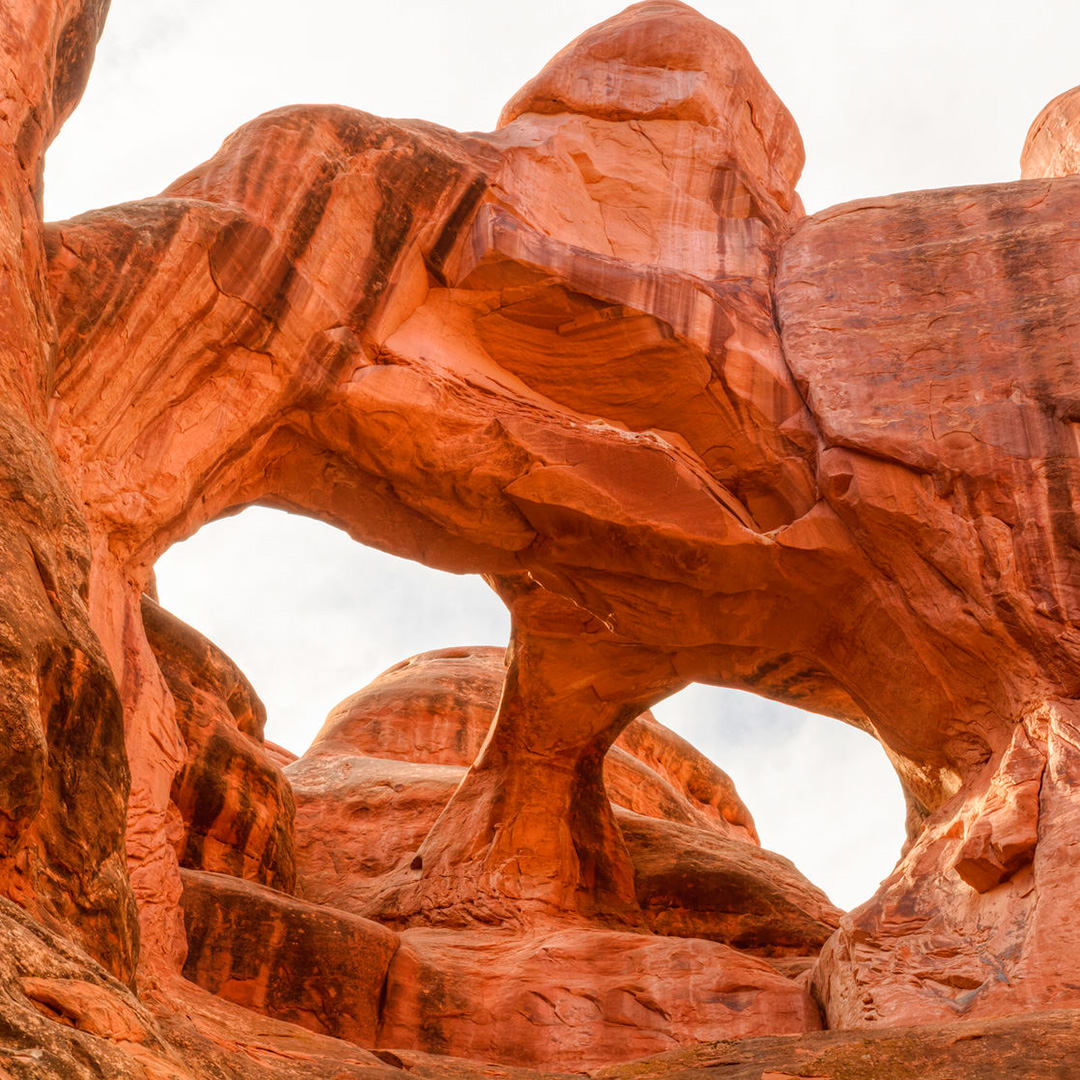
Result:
310,966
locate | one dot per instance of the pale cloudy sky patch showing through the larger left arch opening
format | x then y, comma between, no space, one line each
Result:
310,616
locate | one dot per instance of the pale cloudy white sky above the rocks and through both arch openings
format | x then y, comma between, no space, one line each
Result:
889,97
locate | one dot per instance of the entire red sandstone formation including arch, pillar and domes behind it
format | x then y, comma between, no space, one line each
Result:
601,357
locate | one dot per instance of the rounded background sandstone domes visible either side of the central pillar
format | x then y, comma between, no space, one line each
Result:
361,818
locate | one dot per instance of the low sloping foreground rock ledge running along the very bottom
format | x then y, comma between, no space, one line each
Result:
200,1036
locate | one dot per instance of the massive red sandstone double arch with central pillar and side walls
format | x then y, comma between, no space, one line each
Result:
601,357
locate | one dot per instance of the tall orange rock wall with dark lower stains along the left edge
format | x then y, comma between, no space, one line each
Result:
63,773
